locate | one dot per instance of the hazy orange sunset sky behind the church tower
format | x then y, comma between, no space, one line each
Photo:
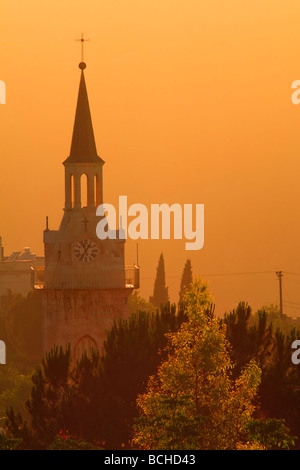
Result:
191,103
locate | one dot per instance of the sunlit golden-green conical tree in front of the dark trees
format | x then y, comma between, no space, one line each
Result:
192,402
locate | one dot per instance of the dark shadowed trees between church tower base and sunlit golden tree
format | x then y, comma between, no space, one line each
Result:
97,398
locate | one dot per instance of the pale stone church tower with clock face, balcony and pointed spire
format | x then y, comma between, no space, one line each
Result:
86,284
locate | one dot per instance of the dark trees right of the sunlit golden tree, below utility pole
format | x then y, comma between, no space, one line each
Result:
255,338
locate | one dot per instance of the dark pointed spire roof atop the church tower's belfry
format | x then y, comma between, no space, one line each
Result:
83,146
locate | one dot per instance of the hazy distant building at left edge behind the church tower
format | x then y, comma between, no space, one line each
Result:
17,272
